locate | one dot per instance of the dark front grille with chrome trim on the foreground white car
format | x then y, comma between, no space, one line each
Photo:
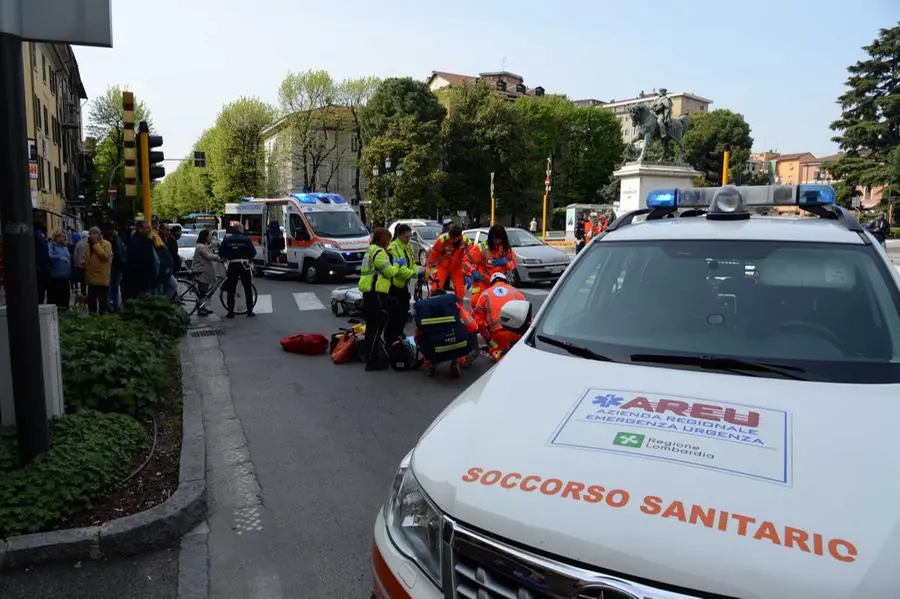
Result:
485,568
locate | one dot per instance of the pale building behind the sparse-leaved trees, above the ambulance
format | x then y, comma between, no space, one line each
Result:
327,163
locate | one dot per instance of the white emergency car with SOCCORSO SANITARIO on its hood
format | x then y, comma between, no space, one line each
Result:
719,422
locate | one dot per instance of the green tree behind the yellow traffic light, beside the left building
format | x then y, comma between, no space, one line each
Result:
106,125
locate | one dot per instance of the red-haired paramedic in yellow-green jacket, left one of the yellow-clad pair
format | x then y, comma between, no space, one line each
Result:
375,284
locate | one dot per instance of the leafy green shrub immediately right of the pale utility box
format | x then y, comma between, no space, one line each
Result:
113,365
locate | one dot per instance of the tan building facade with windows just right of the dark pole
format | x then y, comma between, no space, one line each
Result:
54,95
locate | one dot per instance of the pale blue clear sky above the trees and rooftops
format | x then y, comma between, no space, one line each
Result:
782,64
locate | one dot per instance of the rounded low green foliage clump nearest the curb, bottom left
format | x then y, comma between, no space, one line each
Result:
89,455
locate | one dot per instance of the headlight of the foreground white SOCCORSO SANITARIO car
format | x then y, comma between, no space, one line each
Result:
414,523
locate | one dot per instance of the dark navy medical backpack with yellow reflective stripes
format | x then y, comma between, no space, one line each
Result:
440,333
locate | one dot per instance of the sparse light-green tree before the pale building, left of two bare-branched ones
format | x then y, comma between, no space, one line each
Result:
314,120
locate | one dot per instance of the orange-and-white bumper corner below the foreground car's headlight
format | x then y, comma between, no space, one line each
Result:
393,575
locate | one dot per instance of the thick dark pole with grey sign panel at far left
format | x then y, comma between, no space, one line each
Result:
85,22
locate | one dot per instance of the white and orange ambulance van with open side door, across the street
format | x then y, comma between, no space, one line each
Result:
315,235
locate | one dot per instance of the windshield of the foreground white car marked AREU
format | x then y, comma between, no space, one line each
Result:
829,311
